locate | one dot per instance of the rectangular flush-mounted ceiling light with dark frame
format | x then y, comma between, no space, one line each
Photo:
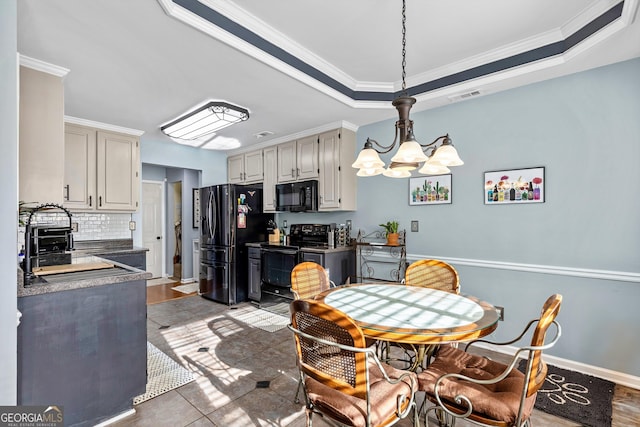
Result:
199,126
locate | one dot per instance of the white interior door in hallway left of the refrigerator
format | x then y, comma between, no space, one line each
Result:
152,228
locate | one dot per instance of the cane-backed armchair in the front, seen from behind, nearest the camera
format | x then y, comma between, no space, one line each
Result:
343,379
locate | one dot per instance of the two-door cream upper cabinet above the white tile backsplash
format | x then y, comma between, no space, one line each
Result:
101,170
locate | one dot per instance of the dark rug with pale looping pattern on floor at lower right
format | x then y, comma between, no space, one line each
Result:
578,397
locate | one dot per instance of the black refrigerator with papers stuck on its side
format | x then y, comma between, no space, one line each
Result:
231,216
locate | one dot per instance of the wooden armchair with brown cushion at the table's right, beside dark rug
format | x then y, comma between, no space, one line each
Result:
486,392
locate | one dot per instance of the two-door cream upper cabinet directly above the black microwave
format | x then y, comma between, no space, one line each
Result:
298,160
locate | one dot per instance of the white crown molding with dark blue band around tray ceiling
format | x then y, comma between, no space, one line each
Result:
517,58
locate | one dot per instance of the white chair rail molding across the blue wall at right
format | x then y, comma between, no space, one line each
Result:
620,276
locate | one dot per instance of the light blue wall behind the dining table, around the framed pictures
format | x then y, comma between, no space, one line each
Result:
585,130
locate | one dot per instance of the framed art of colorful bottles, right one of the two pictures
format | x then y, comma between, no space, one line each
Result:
514,186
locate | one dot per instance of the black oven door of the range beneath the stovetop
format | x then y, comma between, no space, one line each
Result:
276,267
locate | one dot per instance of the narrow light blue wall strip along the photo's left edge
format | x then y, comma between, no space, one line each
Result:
9,192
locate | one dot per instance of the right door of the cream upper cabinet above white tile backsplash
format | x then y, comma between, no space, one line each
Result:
117,166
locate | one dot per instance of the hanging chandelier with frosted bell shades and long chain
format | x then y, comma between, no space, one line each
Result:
410,152
